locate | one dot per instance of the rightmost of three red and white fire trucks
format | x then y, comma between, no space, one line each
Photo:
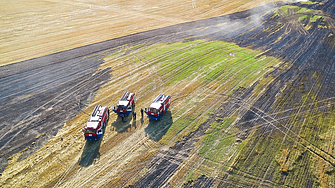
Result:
158,107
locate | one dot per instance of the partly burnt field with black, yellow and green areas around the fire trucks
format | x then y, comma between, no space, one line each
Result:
252,106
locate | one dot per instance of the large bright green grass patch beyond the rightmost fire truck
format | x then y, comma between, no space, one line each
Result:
217,63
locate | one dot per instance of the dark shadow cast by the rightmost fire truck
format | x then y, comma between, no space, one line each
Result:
157,129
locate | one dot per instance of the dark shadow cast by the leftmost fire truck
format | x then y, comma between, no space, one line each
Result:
90,151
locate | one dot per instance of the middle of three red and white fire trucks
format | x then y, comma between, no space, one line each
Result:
125,105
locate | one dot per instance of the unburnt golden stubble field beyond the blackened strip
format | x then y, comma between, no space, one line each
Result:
33,28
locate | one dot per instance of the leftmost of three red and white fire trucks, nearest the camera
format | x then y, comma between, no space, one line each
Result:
96,122
